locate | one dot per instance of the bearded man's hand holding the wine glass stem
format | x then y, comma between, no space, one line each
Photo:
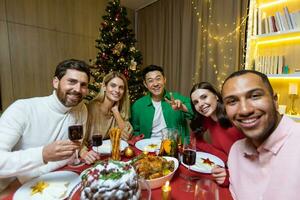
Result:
59,150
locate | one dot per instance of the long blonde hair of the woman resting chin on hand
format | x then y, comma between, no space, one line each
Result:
124,104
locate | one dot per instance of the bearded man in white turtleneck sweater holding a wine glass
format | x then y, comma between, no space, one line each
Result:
34,132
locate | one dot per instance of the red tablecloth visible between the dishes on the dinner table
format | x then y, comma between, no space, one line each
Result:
176,183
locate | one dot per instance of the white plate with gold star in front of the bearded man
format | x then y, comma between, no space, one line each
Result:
56,180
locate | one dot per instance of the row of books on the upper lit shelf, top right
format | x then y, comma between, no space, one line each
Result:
280,21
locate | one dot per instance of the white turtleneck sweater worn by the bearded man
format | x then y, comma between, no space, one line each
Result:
26,127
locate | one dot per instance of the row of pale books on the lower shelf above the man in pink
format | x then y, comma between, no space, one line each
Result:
269,64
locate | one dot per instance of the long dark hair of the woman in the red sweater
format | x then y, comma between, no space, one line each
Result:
197,122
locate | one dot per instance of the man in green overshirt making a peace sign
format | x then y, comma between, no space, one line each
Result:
159,109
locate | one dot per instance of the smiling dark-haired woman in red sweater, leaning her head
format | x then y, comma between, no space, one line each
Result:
210,117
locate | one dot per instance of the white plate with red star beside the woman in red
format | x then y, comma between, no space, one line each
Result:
205,168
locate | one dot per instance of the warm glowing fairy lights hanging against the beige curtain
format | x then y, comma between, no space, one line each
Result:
212,41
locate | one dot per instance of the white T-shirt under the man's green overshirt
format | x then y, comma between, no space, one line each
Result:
159,122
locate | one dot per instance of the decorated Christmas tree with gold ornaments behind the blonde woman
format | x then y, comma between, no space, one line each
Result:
117,52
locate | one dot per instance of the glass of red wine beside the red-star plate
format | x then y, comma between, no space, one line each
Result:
189,158
